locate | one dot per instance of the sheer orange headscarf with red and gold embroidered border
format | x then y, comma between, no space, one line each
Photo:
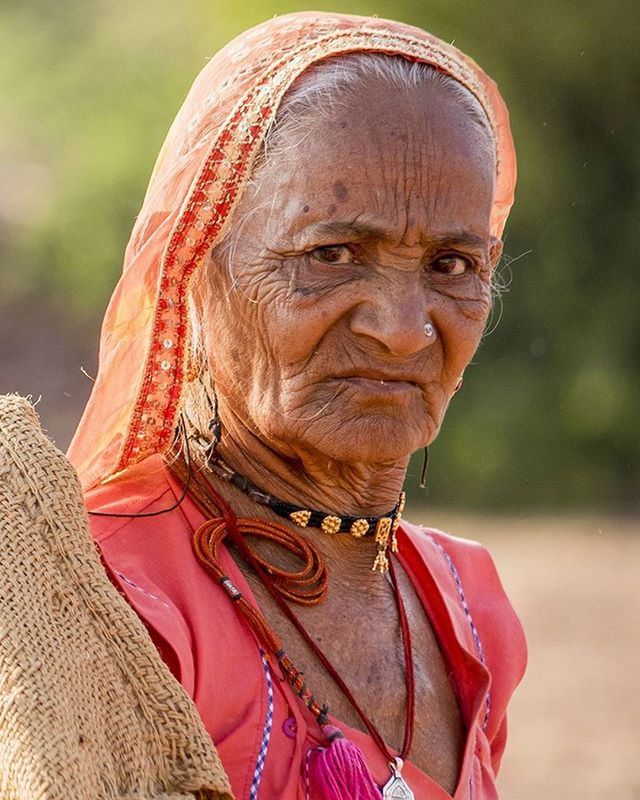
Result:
200,173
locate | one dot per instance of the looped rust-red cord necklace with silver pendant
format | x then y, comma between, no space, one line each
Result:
307,586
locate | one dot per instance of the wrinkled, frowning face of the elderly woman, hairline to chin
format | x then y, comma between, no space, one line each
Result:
370,223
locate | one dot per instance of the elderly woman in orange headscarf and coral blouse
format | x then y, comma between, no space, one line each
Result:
307,280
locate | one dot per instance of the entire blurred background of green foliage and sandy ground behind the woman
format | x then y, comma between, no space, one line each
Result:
539,456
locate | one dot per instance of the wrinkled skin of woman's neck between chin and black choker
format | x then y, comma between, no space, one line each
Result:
311,479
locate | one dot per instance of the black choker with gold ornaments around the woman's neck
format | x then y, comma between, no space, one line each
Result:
383,528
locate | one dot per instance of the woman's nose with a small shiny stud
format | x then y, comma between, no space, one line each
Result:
398,320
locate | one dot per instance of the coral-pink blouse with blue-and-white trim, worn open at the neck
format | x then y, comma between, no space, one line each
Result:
244,706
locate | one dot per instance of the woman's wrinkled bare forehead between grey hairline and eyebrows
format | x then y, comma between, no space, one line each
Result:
383,162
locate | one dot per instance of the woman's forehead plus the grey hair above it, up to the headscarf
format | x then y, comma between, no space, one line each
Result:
372,133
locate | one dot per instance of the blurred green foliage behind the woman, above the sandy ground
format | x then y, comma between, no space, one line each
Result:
549,416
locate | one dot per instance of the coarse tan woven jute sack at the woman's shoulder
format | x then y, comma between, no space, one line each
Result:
88,709
